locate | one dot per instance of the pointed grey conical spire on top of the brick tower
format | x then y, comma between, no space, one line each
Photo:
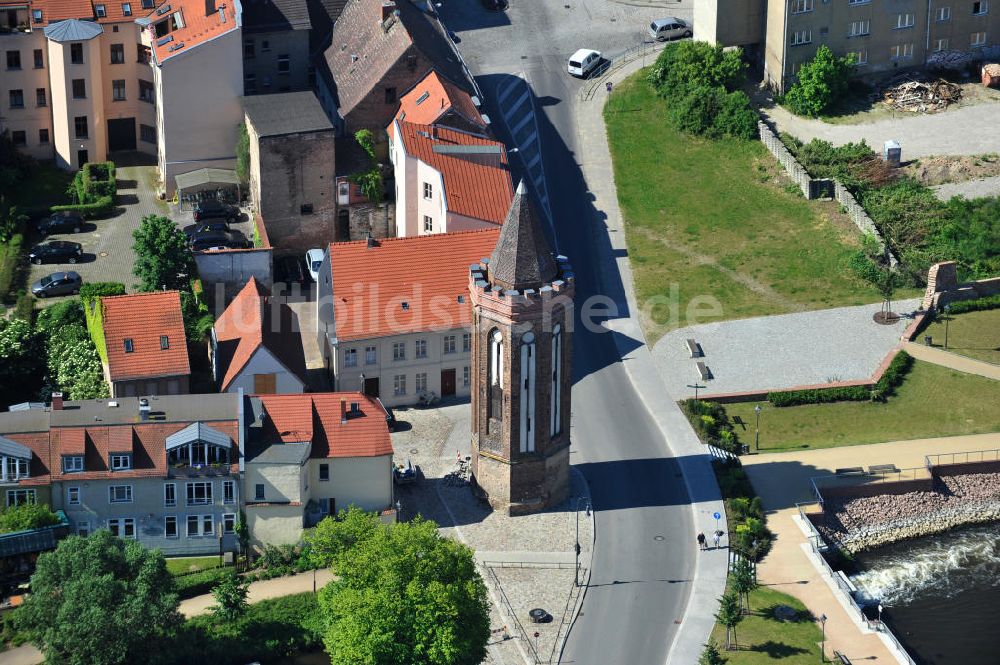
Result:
522,258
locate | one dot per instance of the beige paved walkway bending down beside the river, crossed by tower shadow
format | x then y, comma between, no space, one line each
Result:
782,479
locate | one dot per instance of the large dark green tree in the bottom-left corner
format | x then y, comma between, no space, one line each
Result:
100,600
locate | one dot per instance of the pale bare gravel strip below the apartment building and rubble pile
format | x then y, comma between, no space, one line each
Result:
970,130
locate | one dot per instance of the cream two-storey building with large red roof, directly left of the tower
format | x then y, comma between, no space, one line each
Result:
394,315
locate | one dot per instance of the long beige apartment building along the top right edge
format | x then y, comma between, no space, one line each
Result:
882,35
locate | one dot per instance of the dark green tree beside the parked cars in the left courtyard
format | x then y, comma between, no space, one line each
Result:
162,256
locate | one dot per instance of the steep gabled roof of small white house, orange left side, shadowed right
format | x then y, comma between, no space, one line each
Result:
248,324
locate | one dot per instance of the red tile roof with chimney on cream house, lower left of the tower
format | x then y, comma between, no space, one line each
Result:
319,414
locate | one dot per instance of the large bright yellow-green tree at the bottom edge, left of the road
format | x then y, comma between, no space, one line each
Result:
406,595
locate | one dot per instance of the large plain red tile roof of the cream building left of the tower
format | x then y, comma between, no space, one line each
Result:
428,273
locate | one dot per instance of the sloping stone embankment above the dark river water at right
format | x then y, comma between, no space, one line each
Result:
863,523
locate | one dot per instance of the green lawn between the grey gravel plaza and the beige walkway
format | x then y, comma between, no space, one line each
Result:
933,401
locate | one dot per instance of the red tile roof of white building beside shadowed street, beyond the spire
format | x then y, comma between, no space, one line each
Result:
475,185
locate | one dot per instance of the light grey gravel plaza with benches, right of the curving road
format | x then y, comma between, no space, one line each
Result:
773,352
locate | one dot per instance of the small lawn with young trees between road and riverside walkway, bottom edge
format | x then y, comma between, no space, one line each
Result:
764,639
